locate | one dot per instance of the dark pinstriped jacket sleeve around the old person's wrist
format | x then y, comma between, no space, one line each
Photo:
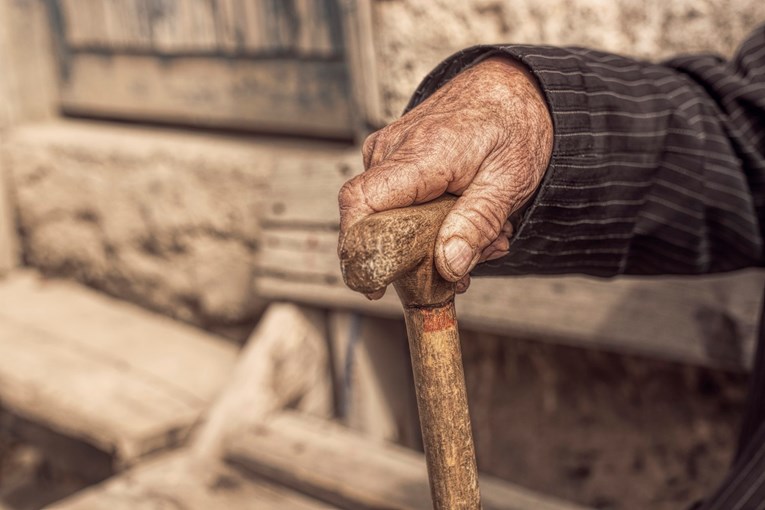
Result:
656,168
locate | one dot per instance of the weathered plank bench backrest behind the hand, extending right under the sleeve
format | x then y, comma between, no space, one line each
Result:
704,320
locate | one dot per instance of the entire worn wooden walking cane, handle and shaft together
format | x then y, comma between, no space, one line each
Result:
397,247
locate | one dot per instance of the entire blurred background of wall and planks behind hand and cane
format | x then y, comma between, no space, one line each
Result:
174,331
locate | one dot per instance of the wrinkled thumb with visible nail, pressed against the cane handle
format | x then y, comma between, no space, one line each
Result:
474,223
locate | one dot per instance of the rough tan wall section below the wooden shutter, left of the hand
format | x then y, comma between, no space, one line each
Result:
167,220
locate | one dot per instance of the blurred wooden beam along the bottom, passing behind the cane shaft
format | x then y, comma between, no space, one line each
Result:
333,464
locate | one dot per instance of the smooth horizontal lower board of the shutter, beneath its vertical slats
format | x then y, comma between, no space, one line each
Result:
274,95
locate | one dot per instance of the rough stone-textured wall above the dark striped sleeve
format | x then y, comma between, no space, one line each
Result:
412,36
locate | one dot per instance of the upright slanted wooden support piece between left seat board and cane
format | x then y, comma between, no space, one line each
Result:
285,362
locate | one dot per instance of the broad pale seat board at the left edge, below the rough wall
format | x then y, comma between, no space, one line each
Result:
121,379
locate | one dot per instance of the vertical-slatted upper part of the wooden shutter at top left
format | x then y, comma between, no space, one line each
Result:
305,27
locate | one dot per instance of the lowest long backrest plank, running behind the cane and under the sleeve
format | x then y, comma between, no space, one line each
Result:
707,321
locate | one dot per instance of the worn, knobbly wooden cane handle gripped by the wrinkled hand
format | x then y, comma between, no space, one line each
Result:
391,246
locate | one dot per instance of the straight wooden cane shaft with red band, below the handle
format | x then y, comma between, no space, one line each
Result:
442,402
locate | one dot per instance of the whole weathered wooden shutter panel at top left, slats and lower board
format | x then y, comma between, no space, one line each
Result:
242,64
